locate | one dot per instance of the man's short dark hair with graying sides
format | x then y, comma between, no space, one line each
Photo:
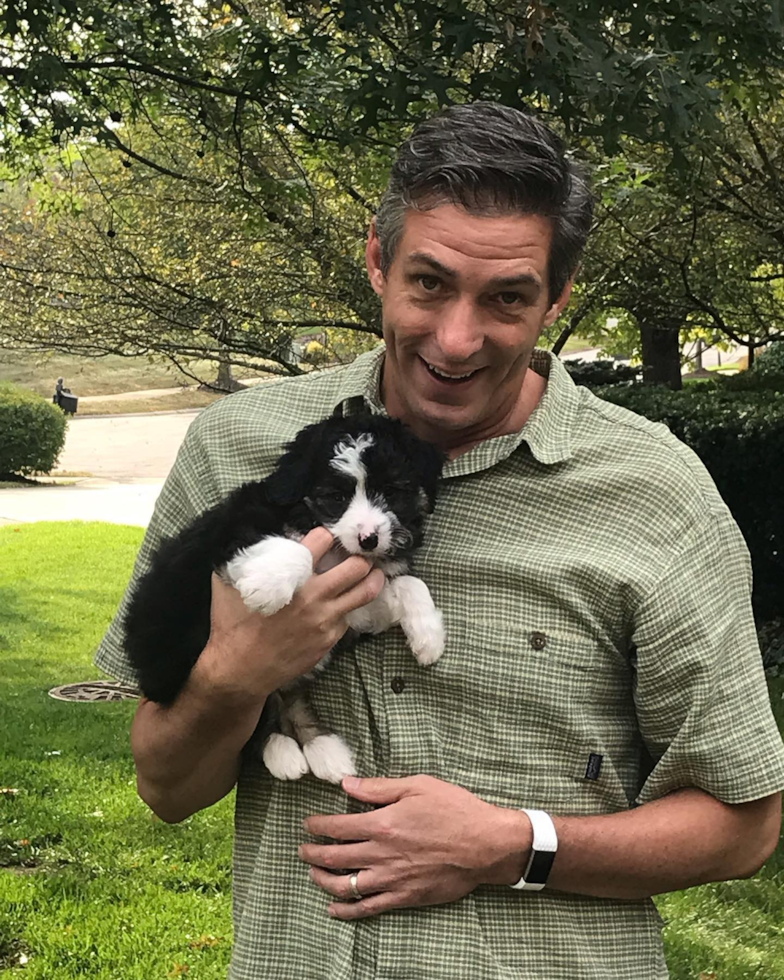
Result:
490,159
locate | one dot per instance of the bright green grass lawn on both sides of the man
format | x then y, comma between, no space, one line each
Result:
92,885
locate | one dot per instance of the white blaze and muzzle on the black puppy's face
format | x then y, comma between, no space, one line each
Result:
361,519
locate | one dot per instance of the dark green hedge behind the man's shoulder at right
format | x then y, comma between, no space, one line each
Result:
739,436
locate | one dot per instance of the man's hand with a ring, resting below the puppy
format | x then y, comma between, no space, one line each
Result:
430,842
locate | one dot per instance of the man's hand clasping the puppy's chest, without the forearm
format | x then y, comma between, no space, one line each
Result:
248,656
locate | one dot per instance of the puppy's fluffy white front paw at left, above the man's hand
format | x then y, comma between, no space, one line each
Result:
269,573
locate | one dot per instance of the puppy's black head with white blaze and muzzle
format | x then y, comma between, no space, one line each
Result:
368,479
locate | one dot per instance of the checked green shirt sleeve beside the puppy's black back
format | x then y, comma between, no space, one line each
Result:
189,489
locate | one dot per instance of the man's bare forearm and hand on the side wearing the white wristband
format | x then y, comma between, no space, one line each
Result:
431,842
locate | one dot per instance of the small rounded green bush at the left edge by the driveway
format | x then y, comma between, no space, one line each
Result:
32,431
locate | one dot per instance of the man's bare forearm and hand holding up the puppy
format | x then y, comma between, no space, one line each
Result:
187,755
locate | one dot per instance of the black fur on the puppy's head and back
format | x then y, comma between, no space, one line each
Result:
167,624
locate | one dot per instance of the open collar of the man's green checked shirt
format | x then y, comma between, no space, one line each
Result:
548,432
